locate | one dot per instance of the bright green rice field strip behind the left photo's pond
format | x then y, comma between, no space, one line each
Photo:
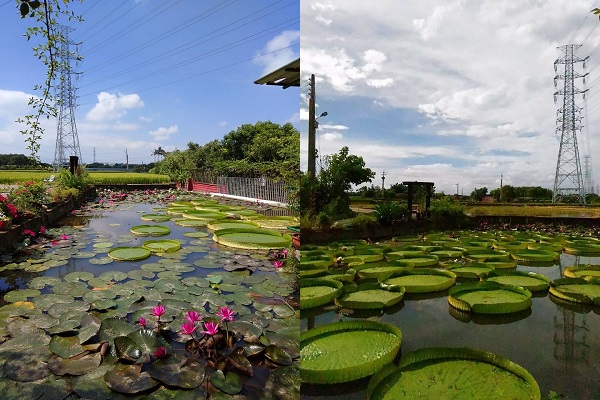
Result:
14,177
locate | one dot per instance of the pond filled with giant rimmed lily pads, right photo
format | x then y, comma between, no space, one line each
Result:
496,314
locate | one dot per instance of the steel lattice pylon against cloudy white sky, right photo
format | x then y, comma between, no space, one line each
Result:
568,180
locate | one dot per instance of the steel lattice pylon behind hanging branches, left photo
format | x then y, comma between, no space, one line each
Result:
67,141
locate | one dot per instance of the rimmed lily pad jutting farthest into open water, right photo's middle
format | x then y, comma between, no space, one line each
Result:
489,298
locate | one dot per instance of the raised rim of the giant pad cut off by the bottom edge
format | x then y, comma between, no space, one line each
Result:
376,388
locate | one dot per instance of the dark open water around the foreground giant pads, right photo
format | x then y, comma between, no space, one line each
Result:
556,341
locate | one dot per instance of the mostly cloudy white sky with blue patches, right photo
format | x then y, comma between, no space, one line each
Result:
449,91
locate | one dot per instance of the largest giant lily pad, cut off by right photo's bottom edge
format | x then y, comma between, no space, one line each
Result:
452,373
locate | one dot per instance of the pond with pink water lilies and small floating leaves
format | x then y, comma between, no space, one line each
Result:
153,295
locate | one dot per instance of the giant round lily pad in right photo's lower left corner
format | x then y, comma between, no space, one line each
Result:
324,355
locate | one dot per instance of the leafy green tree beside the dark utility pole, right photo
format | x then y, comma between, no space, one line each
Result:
333,182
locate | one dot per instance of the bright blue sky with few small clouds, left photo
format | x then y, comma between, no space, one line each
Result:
157,73
